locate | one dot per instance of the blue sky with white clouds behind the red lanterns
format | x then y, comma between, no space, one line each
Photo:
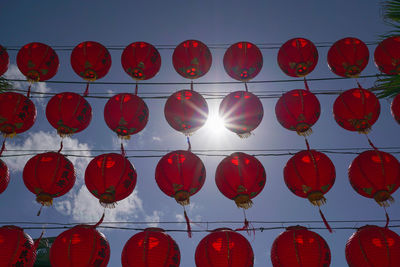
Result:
212,22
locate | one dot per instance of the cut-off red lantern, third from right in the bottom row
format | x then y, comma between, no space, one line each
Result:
224,248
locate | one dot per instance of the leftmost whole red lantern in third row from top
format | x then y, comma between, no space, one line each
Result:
49,175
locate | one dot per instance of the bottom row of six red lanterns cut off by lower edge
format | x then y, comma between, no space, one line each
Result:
83,245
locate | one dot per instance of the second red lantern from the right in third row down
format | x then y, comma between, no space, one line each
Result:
310,174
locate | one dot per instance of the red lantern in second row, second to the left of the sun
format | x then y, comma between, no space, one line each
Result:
126,114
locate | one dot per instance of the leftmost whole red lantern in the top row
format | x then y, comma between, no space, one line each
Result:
37,61
